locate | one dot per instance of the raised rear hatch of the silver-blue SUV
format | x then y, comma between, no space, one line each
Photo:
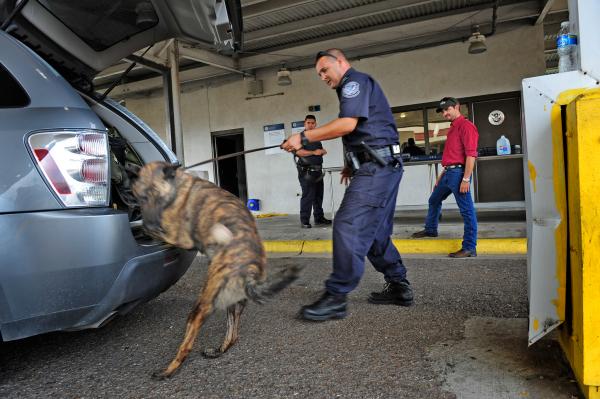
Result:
81,38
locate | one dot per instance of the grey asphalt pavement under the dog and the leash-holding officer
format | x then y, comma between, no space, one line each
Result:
465,337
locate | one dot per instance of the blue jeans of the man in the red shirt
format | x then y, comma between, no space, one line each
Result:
450,184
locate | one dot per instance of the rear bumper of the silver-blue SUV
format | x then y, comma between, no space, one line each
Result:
74,269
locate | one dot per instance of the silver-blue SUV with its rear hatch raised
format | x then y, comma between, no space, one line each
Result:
72,250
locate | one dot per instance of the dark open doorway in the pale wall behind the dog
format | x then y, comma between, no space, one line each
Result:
230,173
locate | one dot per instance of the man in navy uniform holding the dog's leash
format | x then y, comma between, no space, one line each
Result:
363,224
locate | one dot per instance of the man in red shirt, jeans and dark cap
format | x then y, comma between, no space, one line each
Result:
458,161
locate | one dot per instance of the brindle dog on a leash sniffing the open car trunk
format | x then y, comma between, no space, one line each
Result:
190,212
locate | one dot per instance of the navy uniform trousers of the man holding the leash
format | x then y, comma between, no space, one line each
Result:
363,226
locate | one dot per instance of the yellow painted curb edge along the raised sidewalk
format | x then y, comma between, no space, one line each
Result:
486,246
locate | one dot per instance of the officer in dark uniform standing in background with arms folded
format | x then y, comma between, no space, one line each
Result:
310,174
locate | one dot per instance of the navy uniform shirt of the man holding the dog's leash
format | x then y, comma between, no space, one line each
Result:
361,97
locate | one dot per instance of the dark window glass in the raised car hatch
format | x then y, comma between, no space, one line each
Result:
103,23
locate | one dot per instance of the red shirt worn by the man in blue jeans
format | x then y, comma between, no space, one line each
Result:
461,141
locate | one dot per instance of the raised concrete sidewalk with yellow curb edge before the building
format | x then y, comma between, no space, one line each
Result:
499,232
